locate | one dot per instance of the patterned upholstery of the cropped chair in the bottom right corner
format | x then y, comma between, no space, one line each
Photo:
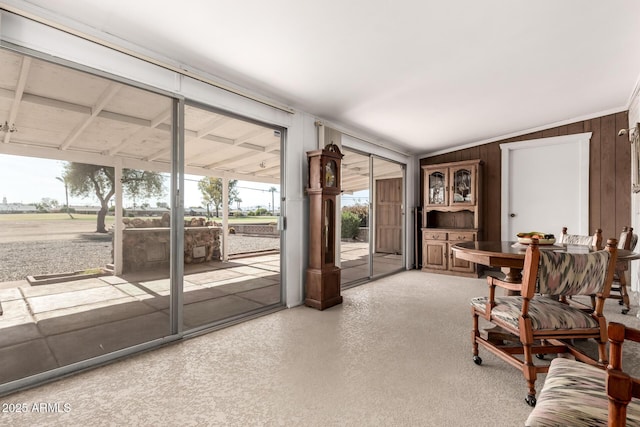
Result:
574,395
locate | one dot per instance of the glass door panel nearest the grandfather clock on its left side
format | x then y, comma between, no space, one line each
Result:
232,239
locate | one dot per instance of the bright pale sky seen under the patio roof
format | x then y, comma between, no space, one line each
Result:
28,180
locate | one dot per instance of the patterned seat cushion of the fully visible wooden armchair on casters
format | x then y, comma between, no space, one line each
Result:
545,313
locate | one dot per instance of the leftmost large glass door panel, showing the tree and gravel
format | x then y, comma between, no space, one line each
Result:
83,238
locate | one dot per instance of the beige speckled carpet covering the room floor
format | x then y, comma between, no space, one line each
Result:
396,353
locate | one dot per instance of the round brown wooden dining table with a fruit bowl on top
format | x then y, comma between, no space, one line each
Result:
509,255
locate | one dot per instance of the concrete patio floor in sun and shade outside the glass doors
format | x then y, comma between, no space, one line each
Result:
49,326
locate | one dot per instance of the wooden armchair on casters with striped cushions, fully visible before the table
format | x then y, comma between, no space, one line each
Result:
541,319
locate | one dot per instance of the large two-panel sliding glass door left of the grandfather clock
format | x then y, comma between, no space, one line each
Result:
99,257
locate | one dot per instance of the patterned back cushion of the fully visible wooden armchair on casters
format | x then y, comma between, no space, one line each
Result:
564,273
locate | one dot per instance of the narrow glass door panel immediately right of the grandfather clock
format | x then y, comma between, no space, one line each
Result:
354,245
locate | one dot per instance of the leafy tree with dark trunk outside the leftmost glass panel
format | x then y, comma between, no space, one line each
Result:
85,180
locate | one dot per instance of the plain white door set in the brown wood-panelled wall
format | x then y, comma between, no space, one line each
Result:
545,185
